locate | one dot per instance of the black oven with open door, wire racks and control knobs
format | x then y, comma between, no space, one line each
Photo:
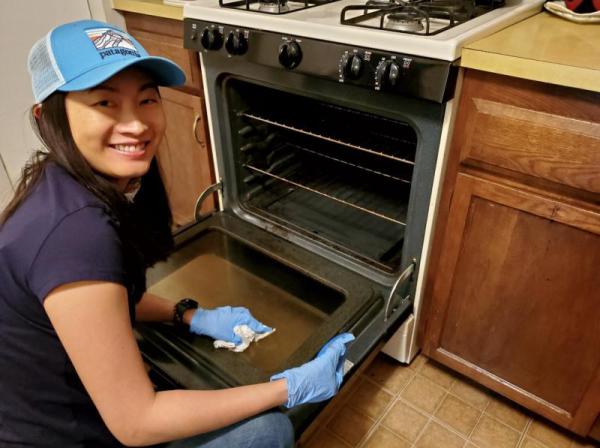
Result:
325,155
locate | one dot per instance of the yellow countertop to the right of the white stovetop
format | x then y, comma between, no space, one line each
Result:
543,48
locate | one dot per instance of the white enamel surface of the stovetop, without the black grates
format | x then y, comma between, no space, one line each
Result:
323,22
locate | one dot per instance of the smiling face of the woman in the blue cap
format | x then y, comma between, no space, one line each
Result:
118,124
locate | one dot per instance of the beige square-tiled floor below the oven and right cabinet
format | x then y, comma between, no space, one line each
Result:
425,405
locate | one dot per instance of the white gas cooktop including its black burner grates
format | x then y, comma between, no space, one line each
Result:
434,28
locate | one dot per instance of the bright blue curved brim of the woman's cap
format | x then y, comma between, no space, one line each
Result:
162,70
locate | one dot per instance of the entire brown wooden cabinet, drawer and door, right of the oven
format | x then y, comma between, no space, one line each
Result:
512,296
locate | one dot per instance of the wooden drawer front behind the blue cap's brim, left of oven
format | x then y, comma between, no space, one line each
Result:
164,37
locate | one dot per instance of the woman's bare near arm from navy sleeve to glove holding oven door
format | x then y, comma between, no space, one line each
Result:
92,322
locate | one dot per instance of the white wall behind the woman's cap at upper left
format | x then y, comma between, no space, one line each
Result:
23,22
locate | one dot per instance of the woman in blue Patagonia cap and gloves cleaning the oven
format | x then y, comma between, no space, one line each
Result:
87,219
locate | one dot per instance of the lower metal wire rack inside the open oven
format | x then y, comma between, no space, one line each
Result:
327,186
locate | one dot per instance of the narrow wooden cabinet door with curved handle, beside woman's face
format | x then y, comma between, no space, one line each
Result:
184,157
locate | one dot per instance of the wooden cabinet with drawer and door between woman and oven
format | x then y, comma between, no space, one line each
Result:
184,156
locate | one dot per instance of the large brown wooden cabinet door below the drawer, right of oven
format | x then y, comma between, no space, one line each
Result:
516,299
